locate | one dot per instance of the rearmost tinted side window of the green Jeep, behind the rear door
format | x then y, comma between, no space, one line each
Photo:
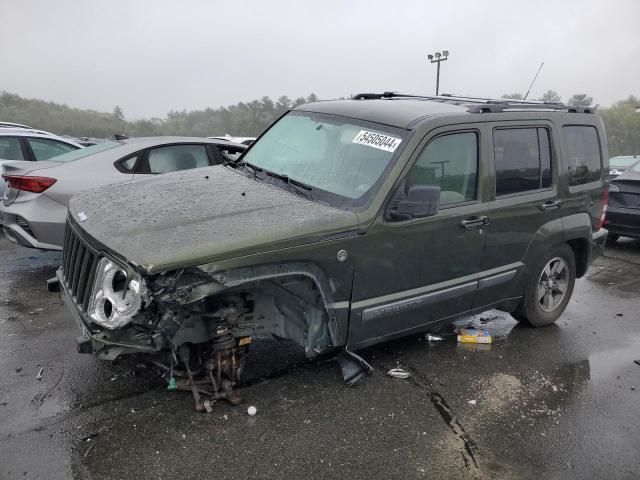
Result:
583,154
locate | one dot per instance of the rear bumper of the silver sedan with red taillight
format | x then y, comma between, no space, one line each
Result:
37,223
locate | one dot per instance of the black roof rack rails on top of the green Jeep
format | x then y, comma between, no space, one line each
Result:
480,104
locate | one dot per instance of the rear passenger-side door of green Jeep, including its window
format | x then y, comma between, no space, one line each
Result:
525,156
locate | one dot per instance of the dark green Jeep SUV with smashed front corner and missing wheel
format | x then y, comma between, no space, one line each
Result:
347,223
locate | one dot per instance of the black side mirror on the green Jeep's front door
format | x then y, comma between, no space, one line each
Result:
414,201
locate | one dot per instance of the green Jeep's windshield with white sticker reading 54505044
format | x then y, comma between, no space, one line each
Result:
341,160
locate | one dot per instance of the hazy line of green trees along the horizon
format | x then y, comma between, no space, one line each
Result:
622,119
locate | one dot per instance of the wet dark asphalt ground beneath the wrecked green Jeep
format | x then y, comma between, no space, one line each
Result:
558,402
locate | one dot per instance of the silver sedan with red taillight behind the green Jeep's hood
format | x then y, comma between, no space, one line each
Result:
34,204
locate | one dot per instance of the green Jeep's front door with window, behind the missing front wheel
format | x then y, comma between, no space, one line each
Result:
412,273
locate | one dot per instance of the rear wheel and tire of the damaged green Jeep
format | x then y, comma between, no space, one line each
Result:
543,301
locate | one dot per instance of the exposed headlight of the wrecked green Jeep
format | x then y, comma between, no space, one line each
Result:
116,298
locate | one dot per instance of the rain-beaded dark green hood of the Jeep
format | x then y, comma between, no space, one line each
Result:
199,216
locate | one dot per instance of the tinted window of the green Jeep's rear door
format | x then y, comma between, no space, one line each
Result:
523,160
